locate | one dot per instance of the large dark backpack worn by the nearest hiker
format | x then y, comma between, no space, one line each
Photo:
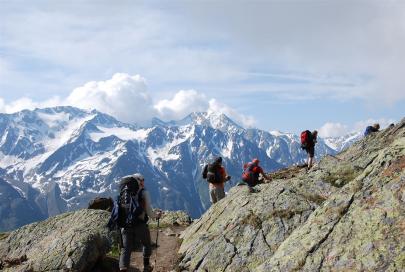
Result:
128,206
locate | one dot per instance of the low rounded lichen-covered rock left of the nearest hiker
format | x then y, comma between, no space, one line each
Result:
68,242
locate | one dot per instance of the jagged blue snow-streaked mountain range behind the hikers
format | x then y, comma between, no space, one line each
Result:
59,158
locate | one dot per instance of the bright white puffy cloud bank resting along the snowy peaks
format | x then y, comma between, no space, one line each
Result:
128,99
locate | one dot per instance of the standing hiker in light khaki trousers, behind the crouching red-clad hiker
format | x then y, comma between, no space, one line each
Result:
216,176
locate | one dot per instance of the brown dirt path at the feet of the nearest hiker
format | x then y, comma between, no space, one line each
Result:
166,257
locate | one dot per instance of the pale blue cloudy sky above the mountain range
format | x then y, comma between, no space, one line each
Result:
335,66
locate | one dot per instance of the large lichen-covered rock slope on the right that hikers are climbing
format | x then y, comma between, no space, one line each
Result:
345,214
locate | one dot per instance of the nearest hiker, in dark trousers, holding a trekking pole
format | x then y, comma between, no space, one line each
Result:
136,229
